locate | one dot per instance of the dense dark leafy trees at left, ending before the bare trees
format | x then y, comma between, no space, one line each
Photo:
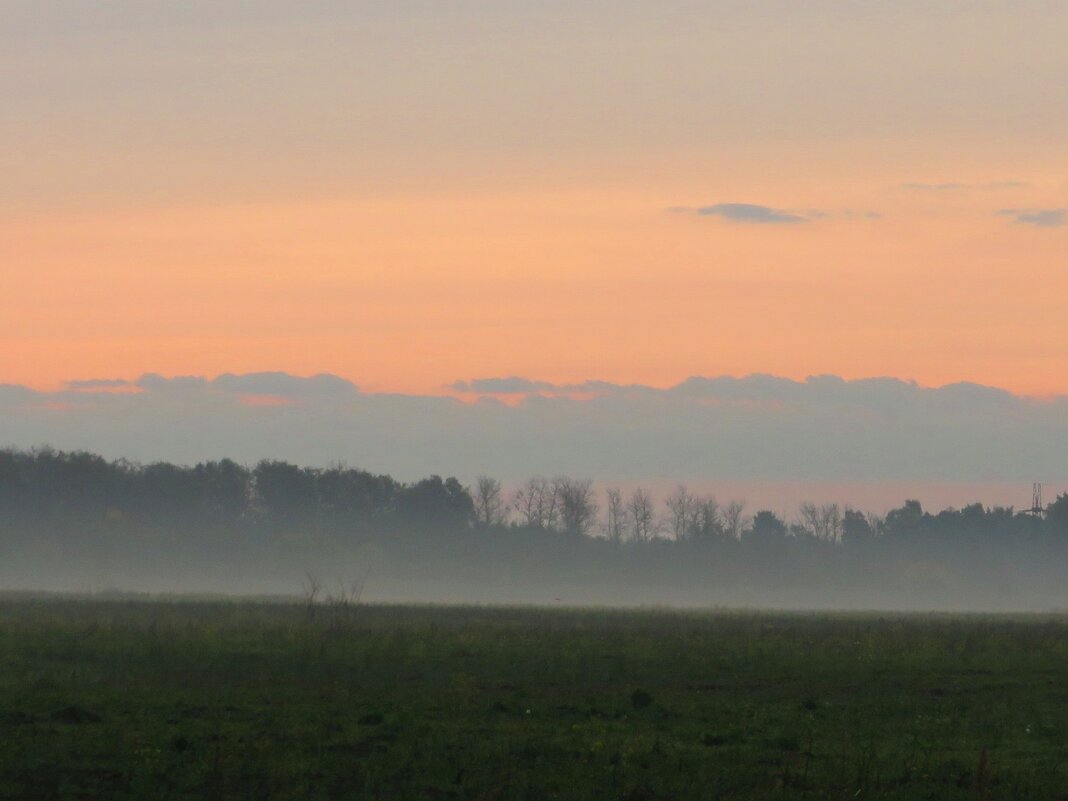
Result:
52,485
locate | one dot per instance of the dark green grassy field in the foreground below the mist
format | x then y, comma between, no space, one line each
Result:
242,701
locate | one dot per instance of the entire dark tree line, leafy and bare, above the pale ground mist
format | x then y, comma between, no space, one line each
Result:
48,486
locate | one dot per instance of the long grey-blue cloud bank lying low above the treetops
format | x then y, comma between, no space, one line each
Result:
705,429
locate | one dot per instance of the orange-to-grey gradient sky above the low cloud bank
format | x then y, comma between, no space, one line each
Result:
409,193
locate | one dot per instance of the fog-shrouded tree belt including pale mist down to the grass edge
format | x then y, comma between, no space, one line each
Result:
77,523
